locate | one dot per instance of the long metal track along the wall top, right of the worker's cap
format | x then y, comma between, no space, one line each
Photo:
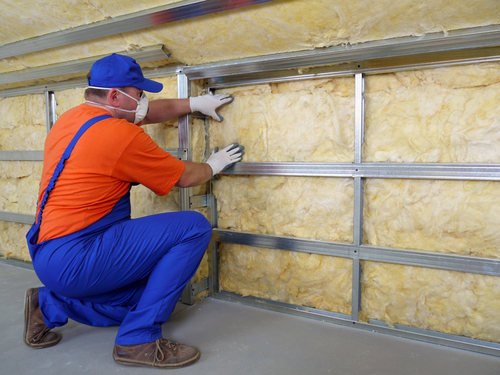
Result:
456,47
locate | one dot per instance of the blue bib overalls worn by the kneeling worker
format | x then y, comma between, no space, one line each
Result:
118,271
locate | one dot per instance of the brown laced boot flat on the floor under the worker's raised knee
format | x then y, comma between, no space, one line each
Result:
160,354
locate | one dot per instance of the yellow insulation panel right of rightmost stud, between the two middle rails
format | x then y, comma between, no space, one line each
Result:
460,217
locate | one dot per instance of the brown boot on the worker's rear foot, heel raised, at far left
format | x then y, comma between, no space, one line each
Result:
36,333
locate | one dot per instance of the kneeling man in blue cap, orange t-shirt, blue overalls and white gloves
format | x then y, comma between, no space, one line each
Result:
98,266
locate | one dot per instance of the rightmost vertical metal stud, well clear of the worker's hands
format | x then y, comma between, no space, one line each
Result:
358,193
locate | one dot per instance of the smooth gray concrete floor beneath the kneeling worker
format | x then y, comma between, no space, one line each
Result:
233,339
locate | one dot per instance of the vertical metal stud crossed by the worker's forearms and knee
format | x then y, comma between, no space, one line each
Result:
183,92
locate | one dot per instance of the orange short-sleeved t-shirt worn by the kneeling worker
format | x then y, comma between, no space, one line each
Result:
109,156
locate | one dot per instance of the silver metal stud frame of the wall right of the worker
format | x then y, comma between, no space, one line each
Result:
235,75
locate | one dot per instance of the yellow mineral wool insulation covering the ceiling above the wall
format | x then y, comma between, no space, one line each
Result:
274,27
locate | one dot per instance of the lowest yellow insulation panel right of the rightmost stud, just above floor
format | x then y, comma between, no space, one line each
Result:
445,301
